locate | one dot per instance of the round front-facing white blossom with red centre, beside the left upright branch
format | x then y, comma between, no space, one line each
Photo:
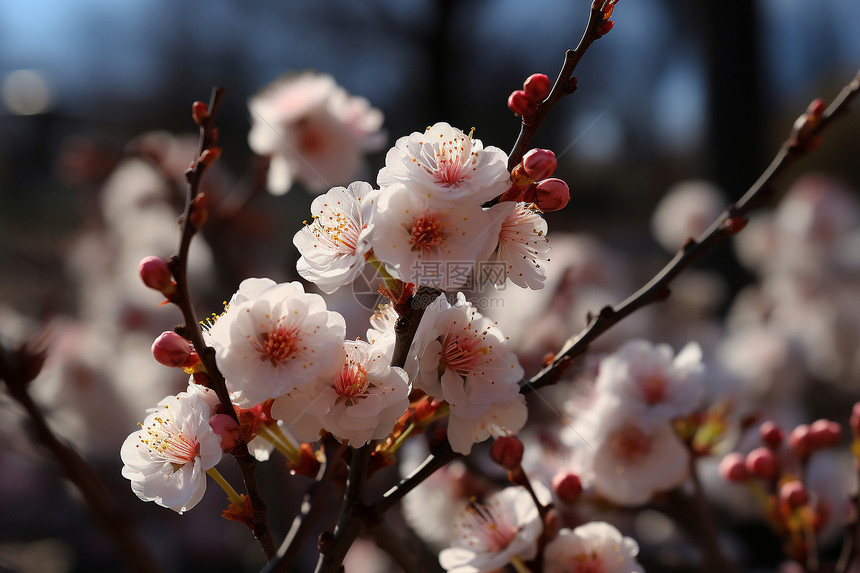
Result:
275,338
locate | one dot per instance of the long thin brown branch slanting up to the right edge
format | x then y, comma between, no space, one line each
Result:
804,137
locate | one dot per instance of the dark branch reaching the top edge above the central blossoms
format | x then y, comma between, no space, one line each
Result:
564,84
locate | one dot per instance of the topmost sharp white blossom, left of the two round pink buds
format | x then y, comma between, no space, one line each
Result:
445,163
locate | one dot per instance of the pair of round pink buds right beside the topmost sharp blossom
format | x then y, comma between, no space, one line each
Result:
531,182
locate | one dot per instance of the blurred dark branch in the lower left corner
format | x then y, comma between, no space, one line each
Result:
17,370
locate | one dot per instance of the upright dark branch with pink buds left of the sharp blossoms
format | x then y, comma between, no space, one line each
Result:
178,266
